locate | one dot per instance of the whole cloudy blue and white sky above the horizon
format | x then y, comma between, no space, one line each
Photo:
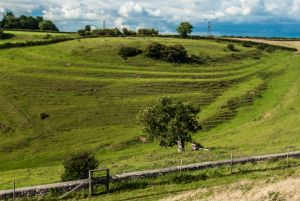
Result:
228,17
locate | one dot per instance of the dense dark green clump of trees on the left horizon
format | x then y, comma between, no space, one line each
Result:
10,21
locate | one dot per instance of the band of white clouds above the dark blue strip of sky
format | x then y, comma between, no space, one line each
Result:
163,15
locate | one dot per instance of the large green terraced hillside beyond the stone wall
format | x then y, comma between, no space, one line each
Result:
249,101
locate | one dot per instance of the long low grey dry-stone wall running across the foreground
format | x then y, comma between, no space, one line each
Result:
68,186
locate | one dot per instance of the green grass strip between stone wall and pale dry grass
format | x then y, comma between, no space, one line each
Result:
174,184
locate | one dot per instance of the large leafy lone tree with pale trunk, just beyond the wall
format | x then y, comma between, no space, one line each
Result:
170,122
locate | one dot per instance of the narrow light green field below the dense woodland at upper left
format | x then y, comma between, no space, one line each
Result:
22,36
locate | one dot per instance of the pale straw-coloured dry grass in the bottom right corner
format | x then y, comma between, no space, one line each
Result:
284,190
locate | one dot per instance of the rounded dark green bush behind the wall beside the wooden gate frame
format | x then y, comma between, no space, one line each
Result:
78,164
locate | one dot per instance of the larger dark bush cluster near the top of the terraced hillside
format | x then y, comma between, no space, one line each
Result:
173,54
